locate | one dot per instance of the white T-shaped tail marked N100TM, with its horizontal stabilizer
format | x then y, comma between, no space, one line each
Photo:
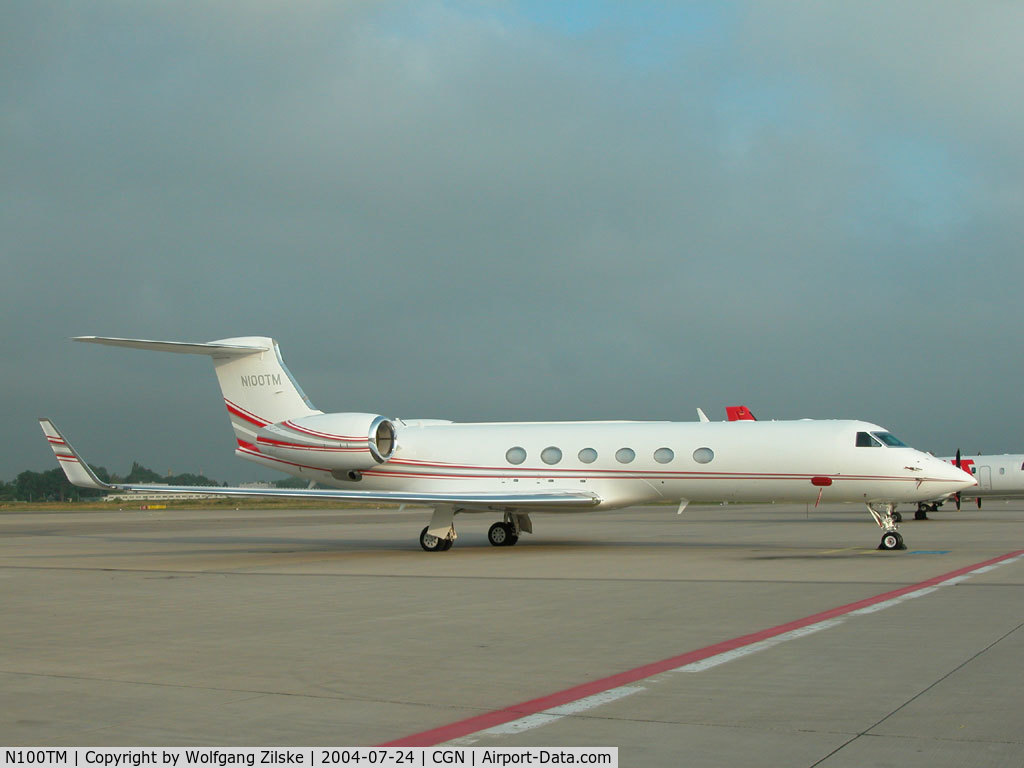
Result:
259,390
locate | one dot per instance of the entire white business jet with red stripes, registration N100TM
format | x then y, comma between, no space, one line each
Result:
515,470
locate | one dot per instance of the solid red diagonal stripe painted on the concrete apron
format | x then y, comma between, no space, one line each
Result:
498,717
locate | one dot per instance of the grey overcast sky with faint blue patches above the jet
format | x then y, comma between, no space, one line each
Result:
511,211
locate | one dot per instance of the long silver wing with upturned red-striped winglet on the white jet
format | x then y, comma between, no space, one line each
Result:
79,474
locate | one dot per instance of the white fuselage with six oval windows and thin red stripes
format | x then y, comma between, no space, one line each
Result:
625,463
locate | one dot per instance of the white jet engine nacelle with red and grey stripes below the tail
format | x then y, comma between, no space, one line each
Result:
342,444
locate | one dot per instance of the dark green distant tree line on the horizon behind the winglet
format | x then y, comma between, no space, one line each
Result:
53,486
